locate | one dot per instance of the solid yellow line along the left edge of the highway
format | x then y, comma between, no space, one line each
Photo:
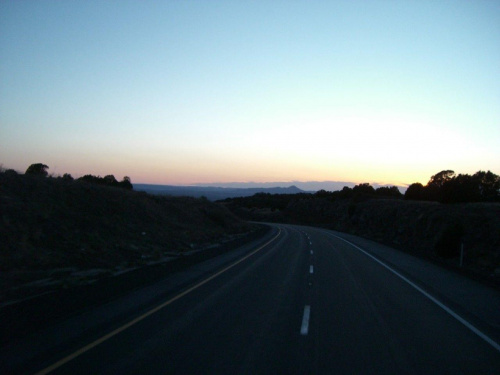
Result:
150,312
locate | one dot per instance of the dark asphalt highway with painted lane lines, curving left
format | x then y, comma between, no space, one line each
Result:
301,300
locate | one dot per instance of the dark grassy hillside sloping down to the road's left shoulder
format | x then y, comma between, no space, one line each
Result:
56,228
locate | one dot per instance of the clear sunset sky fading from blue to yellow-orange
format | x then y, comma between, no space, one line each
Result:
184,92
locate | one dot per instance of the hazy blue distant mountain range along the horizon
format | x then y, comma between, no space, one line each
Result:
214,193
